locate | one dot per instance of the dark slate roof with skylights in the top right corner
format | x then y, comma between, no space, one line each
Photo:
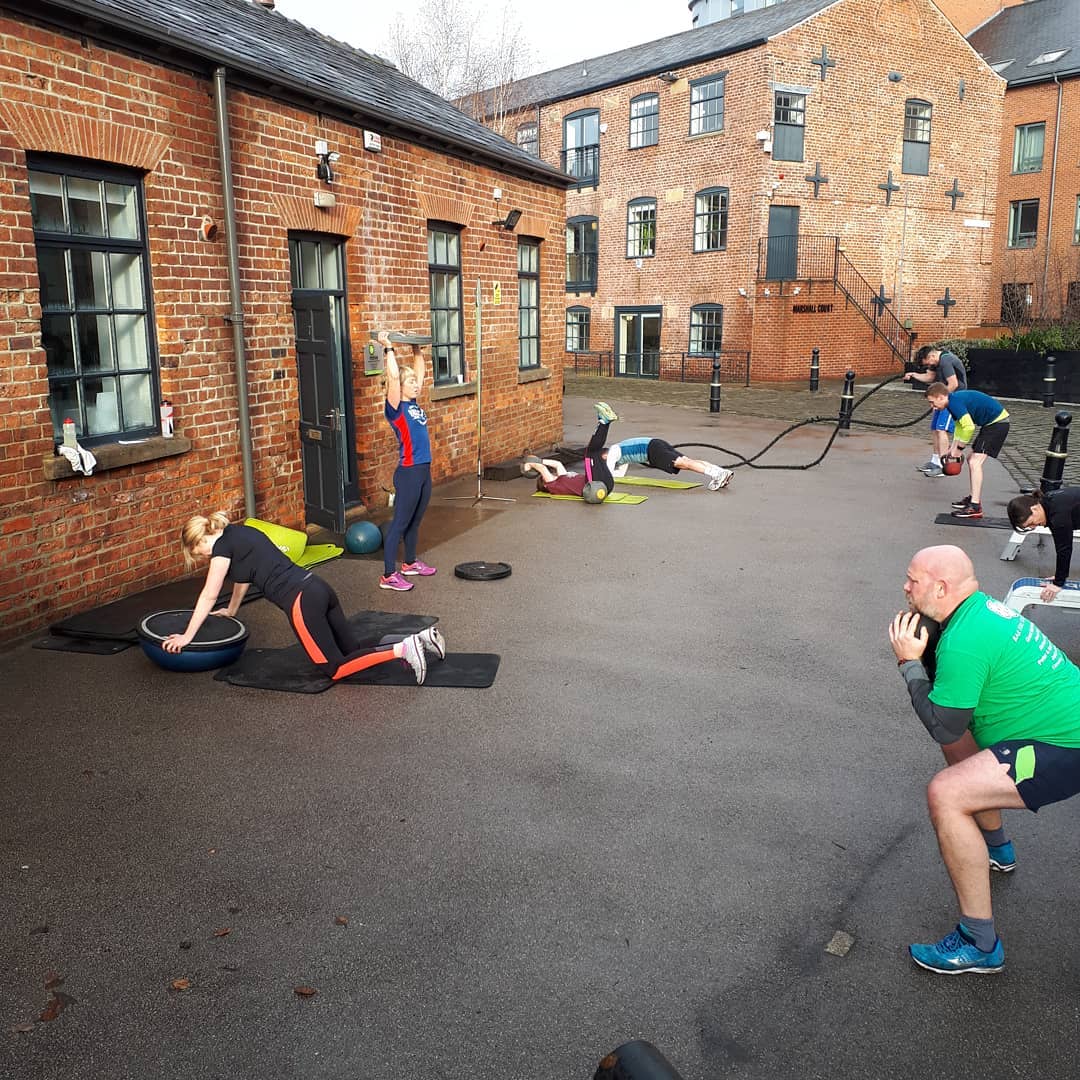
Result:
1029,31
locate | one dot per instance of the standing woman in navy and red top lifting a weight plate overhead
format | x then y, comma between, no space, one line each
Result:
413,475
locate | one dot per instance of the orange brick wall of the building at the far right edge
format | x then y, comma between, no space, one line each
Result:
1050,276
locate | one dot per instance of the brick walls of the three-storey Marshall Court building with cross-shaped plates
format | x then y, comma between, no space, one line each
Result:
916,247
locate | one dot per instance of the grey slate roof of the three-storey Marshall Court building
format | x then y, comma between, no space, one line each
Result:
734,35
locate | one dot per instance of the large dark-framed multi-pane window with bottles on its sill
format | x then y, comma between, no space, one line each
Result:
97,318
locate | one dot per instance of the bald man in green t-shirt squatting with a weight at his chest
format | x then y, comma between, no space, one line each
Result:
1005,705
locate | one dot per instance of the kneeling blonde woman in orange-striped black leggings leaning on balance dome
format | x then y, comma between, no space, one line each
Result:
246,557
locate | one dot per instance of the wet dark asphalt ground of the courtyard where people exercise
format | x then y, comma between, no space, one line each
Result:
696,767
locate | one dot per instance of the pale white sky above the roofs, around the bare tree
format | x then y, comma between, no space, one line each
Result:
559,32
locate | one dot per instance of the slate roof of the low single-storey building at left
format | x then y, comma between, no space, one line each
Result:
267,52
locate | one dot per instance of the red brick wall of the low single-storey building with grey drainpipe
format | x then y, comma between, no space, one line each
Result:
75,544
